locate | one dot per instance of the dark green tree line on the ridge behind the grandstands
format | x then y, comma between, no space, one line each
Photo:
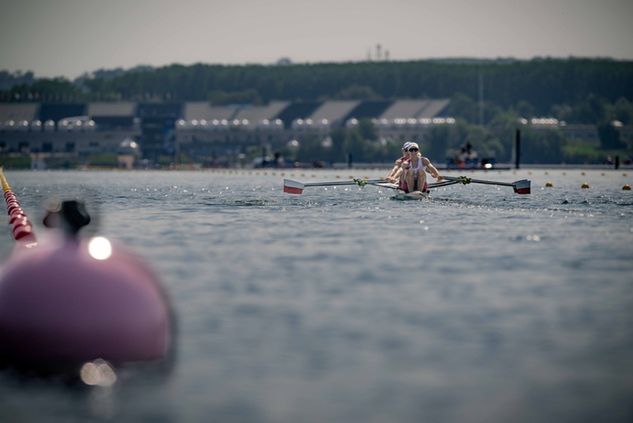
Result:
544,86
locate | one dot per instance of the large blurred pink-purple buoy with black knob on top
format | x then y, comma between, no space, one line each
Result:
72,301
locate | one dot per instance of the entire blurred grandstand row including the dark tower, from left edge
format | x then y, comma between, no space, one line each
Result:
200,131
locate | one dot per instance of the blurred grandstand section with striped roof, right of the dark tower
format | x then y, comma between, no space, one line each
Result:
208,132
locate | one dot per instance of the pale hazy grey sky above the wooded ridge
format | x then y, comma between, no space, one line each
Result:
70,37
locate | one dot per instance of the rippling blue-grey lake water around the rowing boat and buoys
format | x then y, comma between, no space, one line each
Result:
342,305
